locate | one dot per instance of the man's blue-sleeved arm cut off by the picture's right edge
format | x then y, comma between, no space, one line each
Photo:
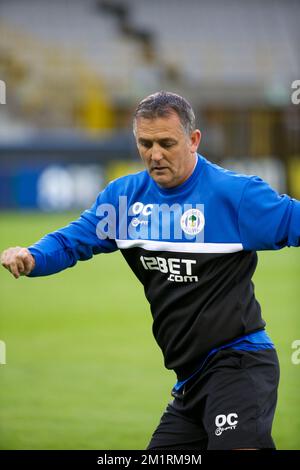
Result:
267,220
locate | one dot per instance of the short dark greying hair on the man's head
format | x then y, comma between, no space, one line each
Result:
162,104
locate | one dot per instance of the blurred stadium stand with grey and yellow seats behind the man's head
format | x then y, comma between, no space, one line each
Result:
75,69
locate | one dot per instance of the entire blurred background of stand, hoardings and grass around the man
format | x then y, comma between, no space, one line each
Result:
82,370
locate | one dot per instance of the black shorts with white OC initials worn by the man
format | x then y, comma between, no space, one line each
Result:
229,405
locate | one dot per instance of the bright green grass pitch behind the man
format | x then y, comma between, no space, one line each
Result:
83,370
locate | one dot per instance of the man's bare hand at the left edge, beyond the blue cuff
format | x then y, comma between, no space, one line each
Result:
19,261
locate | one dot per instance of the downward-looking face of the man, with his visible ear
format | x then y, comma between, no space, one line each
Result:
166,149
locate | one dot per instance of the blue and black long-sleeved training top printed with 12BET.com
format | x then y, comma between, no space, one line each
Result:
193,247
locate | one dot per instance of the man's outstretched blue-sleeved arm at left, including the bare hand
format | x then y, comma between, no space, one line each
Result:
61,249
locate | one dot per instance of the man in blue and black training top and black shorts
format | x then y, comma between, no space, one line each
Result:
189,230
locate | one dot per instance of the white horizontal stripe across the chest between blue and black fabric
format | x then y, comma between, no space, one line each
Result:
183,247
